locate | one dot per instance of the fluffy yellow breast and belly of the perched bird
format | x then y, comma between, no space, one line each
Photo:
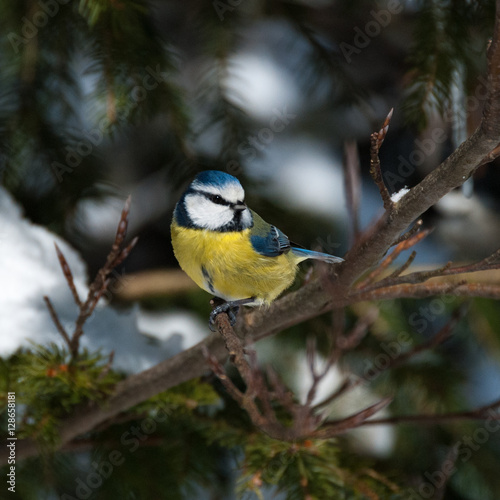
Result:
226,264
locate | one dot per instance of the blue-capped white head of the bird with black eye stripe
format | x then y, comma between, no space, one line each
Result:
214,201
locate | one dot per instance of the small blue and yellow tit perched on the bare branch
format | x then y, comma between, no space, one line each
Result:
228,250
